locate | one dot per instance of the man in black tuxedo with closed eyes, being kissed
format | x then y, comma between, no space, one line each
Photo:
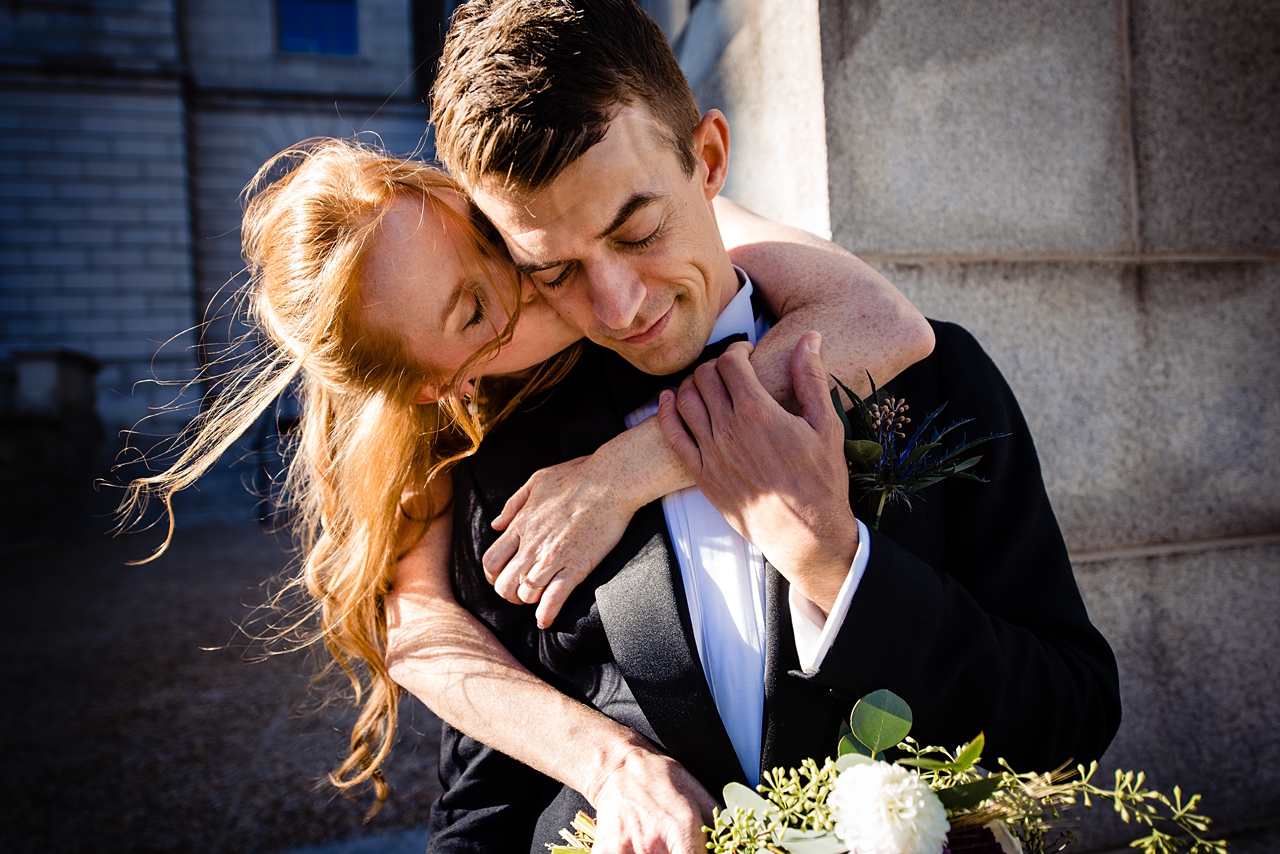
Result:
575,139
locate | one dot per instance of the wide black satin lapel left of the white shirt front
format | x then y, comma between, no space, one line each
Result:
646,619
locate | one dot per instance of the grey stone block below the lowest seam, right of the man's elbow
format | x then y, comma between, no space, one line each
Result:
1197,640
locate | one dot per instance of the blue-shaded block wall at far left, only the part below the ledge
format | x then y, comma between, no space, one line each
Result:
97,235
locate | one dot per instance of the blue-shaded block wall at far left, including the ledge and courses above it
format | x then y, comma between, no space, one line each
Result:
94,205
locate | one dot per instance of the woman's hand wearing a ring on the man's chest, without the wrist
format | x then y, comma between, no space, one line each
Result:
556,529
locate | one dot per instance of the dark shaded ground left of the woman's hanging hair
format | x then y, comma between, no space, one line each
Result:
136,718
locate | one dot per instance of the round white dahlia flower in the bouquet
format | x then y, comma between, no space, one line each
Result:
881,809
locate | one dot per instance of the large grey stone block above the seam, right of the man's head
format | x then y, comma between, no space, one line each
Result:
977,126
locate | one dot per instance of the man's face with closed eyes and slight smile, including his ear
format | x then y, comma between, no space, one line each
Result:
625,245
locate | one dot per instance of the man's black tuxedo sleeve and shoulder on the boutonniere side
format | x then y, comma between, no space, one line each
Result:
990,634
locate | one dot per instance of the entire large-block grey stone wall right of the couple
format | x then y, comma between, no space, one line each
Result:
1091,188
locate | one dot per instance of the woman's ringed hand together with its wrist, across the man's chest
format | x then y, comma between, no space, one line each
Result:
561,524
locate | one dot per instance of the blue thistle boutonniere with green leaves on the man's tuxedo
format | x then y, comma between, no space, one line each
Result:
889,465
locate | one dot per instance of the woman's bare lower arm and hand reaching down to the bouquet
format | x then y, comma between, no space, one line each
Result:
446,657
